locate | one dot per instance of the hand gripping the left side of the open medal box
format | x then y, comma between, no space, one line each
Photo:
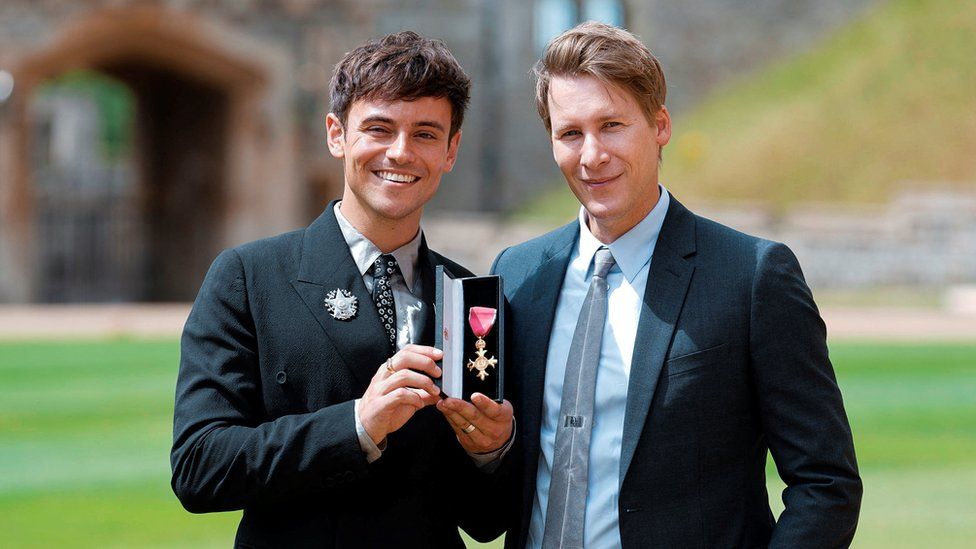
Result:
392,398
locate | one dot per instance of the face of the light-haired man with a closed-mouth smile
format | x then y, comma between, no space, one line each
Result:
607,151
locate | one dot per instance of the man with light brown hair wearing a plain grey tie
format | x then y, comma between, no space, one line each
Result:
661,354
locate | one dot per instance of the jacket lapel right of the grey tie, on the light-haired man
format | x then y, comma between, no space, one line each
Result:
667,285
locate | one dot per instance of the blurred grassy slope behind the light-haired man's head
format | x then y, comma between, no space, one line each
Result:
886,100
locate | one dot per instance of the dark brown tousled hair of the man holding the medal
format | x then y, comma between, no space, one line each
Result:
401,66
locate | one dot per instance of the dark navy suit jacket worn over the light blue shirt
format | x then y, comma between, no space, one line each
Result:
730,359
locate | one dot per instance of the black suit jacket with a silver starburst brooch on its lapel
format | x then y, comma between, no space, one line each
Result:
264,415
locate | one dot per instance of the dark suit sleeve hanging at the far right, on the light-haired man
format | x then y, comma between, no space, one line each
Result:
801,408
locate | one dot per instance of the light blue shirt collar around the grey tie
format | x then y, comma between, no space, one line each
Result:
634,248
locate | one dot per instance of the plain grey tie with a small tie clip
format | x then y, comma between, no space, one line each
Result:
567,487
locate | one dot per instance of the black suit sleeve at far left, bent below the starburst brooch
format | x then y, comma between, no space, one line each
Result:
226,454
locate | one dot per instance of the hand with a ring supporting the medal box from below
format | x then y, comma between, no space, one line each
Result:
492,422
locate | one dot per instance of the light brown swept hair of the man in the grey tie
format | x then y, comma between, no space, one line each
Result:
610,54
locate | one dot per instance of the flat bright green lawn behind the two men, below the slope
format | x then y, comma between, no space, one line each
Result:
85,433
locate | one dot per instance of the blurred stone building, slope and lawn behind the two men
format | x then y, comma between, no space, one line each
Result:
138,138
